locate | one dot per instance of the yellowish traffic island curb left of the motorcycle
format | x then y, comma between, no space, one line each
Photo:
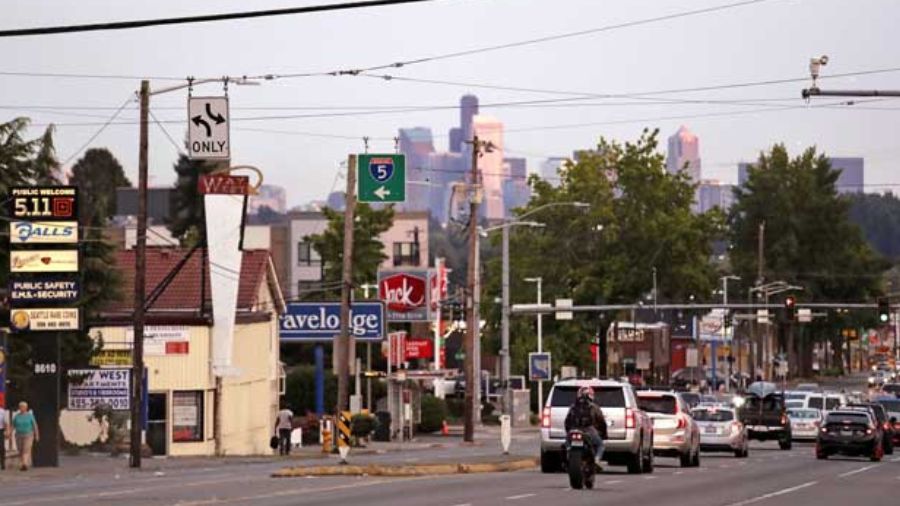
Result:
408,470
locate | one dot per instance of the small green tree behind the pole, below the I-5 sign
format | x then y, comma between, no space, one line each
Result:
368,251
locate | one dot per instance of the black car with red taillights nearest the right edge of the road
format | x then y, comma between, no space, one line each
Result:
852,433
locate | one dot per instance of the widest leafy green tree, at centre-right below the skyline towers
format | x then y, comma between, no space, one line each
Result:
639,219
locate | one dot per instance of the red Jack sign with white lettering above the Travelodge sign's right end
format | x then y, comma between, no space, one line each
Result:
406,295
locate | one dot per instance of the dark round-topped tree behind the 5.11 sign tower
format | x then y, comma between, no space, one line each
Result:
97,175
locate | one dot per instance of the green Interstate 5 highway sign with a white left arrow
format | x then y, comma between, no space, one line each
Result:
381,178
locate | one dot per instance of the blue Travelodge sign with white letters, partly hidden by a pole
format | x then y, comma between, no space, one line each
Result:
321,321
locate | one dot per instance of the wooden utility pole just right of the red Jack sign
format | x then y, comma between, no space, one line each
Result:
473,376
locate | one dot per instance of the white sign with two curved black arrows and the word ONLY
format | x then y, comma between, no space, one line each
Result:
208,128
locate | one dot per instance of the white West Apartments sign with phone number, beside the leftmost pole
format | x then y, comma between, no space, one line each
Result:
89,388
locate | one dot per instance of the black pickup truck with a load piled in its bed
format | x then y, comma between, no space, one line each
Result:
765,415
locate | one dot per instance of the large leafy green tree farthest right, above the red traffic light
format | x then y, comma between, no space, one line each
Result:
809,241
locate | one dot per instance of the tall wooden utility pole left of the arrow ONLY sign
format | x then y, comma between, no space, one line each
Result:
140,274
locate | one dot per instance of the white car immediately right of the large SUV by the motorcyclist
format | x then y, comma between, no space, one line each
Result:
675,433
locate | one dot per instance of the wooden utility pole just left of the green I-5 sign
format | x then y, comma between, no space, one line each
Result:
345,344
